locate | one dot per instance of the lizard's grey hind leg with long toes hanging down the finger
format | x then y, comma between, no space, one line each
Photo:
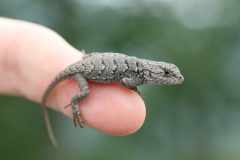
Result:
83,85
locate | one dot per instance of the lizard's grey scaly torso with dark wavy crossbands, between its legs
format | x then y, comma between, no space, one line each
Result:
108,67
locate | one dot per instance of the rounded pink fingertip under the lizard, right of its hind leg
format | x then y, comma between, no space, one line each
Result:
113,109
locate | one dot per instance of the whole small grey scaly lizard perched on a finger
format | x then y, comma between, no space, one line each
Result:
109,67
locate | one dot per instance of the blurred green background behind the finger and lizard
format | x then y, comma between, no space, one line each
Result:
198,120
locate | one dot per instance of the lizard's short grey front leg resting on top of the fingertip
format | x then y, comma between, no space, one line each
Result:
132,84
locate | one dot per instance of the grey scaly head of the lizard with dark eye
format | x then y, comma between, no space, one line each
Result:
162,73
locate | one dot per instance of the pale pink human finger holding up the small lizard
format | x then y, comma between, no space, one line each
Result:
32,55
